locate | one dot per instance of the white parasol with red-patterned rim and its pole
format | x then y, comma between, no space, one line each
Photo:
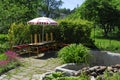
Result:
42,21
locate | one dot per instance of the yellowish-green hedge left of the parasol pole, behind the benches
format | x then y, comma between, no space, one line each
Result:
19,34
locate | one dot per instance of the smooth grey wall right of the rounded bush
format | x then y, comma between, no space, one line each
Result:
104,58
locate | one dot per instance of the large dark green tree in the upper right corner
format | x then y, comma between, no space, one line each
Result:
103,12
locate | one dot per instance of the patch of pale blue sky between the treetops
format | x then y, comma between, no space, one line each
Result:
71,4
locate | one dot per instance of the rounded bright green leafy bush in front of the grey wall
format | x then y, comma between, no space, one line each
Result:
74,54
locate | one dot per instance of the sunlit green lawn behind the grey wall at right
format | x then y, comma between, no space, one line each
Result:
105,43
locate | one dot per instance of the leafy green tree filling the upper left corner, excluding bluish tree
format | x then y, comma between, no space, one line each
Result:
16,11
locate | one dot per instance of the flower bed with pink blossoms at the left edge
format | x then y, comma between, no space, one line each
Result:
8,61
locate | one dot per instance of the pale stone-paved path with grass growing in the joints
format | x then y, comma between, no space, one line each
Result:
33,67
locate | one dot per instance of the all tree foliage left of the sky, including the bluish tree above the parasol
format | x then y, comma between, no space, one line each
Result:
16,11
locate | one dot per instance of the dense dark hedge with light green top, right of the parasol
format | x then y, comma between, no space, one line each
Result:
77,31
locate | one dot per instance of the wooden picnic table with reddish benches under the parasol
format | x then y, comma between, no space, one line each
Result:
34,47
